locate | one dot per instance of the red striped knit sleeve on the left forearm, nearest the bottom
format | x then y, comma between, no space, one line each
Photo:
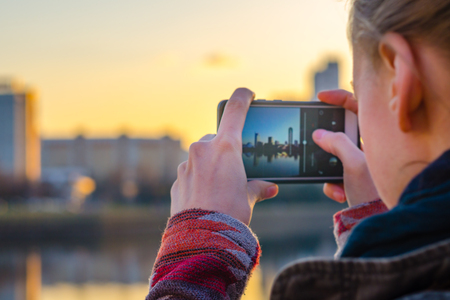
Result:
204,255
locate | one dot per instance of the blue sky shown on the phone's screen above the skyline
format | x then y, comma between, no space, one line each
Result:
267,123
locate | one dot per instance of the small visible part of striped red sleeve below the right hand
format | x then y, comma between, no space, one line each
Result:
346,219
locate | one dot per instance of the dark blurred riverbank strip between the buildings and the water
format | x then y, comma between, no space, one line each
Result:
118,223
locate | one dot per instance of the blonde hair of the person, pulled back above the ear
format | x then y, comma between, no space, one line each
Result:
416,20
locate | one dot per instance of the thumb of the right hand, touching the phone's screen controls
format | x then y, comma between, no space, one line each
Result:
337,143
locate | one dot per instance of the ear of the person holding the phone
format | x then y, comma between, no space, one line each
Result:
405,85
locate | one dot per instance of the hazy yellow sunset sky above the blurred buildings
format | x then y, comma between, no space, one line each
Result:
155,67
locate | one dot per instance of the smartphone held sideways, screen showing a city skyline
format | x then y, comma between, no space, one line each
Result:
277,142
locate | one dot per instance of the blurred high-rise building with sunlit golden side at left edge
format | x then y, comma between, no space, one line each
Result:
19,137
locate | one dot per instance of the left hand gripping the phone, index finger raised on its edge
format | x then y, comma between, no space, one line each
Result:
214,177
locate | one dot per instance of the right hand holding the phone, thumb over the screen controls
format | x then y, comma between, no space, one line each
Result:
358,186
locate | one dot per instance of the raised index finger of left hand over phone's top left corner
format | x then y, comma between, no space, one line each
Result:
233,117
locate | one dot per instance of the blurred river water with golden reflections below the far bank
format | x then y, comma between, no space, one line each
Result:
119,269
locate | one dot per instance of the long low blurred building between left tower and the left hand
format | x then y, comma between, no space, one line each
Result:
152,160
